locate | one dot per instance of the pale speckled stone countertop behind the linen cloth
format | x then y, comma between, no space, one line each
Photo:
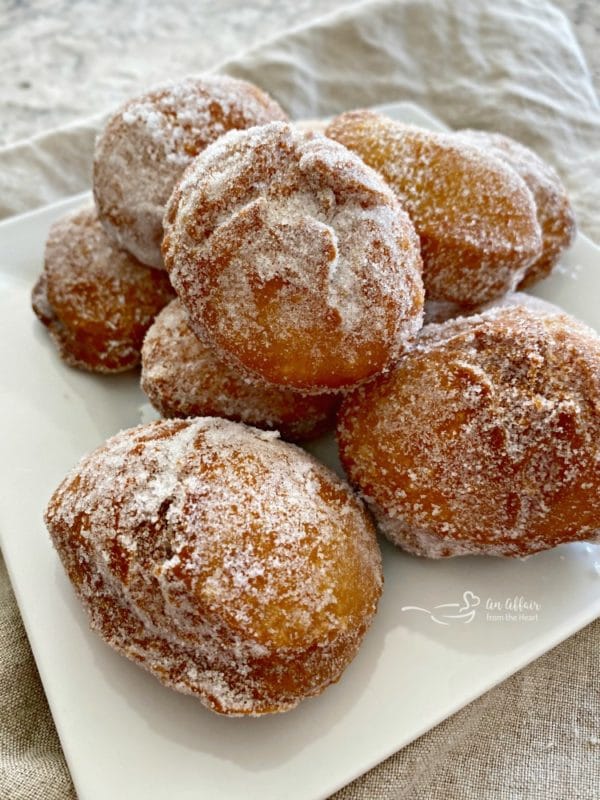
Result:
63,59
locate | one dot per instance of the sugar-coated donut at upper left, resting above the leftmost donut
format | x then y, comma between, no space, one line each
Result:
151,139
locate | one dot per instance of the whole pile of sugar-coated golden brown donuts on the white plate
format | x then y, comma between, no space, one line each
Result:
277,280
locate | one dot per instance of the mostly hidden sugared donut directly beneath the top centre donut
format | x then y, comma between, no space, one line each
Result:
183,378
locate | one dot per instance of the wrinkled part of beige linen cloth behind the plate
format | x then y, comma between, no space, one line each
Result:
513,67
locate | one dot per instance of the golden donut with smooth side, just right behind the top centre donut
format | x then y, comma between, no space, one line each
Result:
475,216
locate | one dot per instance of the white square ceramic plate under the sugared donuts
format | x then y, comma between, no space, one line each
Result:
124,735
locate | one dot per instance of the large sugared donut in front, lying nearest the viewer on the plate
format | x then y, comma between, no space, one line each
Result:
229,564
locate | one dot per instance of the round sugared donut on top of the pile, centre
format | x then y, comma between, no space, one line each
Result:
293,259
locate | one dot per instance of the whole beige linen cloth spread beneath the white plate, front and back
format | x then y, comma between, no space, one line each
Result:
510,66
